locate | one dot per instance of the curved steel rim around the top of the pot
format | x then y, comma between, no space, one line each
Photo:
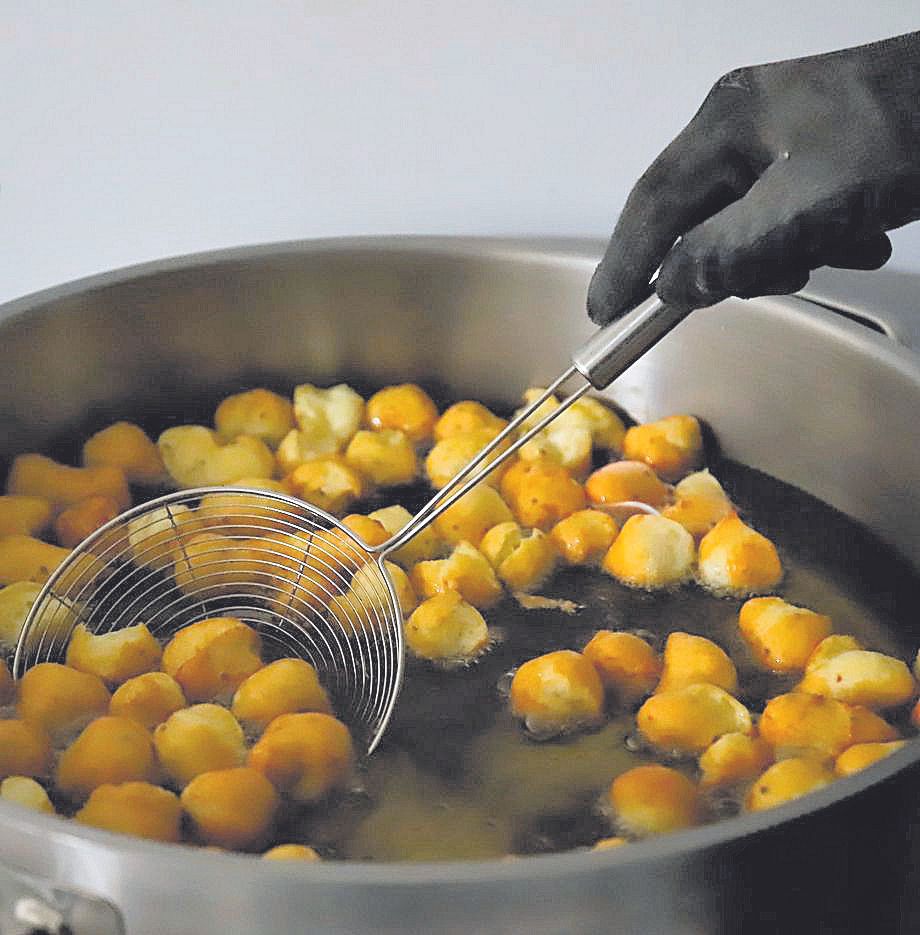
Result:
189,859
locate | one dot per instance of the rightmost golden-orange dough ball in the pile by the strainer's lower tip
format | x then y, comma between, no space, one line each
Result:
305,756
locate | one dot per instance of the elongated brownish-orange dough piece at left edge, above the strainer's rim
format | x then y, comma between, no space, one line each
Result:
37,476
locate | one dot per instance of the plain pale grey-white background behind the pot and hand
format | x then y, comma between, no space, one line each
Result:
132,131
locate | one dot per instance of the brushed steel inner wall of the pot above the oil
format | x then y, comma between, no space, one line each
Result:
807,397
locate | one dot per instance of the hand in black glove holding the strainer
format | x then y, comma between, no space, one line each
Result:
786,167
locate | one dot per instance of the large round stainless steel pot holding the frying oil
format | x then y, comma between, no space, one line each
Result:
792,388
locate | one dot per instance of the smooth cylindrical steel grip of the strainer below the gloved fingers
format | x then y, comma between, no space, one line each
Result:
621,343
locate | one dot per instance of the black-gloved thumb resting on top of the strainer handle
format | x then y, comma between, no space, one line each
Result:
788,218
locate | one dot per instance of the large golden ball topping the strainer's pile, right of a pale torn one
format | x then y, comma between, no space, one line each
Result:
212,656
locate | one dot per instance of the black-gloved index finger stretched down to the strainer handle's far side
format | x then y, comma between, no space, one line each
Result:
697,175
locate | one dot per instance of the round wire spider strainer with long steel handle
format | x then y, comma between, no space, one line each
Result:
304,581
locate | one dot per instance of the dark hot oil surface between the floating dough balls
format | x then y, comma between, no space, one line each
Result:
457,777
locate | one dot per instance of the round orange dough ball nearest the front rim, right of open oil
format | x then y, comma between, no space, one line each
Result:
653,799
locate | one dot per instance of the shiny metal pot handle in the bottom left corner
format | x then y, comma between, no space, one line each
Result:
29,906
